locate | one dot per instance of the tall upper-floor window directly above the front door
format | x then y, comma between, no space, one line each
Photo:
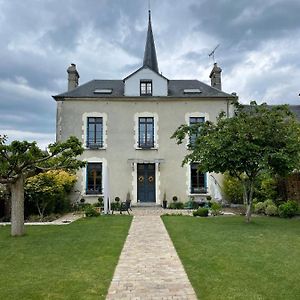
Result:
146,132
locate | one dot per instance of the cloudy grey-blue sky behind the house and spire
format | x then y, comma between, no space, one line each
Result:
259,50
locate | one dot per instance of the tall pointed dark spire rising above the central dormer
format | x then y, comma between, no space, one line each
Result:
150,59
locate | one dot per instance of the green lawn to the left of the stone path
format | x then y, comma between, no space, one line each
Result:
73,261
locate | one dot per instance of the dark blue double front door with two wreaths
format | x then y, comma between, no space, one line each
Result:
146,182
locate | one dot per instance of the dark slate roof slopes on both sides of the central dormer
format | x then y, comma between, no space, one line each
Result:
176,89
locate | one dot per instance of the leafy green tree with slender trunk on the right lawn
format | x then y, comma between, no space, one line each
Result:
258,138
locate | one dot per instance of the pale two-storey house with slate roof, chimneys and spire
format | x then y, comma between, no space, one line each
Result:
125,126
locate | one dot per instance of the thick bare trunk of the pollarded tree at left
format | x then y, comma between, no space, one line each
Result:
17,207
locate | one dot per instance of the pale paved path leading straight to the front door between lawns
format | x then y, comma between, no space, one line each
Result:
149,267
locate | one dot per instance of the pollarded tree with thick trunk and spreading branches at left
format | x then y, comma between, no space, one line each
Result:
21,160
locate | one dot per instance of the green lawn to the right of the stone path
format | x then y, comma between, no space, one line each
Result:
225,258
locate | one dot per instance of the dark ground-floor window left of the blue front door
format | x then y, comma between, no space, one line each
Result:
94,178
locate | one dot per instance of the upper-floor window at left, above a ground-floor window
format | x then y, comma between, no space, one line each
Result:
94,132
